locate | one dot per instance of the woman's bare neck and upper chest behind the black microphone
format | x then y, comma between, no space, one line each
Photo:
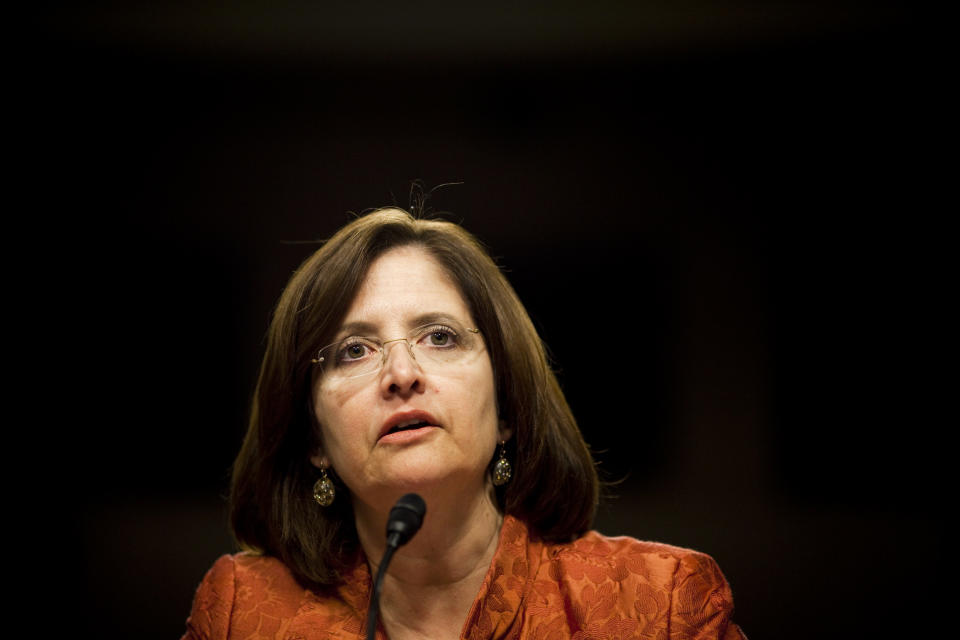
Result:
434,579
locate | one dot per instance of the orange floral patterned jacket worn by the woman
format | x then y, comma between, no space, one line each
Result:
594,588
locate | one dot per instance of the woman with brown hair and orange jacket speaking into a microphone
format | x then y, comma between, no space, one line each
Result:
400,360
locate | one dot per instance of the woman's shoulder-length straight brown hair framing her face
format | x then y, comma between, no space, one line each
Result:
554,488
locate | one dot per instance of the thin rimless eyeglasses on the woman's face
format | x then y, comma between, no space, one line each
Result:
432,346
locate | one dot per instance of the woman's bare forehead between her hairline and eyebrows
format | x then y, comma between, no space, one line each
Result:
402,285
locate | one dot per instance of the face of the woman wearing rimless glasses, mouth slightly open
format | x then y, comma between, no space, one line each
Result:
413,425
